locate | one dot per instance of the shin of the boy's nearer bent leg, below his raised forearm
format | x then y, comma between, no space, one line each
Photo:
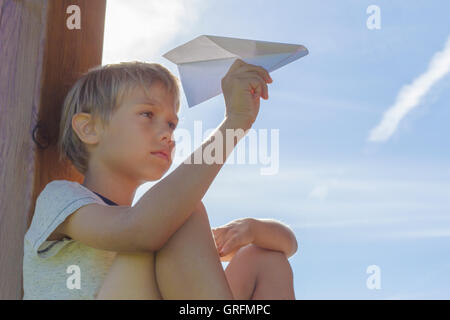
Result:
188,266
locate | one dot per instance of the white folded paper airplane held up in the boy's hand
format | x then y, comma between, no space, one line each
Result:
204,61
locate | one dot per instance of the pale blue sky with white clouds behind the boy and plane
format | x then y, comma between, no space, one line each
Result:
364,175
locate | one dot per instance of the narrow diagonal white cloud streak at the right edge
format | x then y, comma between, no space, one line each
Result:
410,95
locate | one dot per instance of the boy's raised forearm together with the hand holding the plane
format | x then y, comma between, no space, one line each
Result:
174,198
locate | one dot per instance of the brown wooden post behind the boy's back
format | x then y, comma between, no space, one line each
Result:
40,58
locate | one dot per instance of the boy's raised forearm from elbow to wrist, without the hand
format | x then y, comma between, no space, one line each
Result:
174,198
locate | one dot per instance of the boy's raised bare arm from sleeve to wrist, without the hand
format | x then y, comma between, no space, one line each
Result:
157,215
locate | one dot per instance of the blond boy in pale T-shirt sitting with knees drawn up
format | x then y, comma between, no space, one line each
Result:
87,241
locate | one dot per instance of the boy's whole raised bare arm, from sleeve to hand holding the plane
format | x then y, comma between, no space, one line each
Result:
168,204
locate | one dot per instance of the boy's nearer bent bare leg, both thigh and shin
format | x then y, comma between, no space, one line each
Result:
189,267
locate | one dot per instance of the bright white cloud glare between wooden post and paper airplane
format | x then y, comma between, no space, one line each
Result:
138,29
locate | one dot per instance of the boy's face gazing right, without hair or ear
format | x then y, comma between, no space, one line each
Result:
138,128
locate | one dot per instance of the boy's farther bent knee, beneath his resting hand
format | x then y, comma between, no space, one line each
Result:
257,274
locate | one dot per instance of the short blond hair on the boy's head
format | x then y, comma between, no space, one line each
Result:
99,92
